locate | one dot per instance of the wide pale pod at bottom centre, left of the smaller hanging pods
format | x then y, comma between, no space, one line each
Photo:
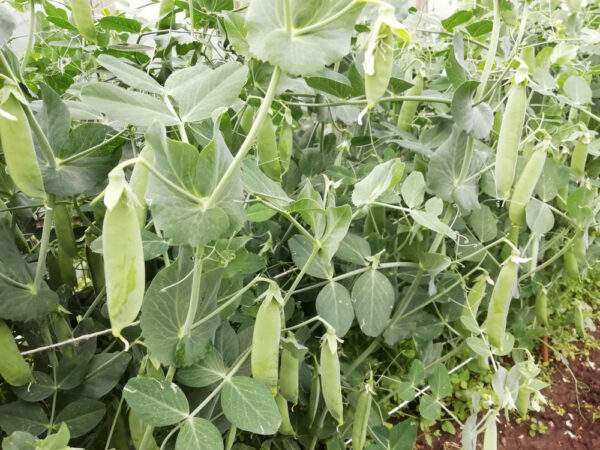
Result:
265,344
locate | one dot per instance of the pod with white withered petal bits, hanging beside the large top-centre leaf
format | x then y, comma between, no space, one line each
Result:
377,76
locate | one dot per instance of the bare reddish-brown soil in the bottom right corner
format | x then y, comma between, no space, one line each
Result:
572,415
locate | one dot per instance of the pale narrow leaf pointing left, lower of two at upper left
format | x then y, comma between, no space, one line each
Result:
126,106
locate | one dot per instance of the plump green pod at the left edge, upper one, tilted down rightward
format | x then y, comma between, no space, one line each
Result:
19,152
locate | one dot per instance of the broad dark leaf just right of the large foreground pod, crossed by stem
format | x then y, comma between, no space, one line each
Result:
164,312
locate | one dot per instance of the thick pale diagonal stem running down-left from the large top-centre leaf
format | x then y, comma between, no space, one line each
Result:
249,141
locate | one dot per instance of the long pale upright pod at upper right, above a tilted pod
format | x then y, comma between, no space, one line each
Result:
509,138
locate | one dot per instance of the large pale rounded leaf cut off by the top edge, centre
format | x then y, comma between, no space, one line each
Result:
308,46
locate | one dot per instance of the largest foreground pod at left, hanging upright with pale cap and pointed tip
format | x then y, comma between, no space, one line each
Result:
123,254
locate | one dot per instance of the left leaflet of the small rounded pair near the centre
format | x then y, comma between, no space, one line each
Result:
335,306
